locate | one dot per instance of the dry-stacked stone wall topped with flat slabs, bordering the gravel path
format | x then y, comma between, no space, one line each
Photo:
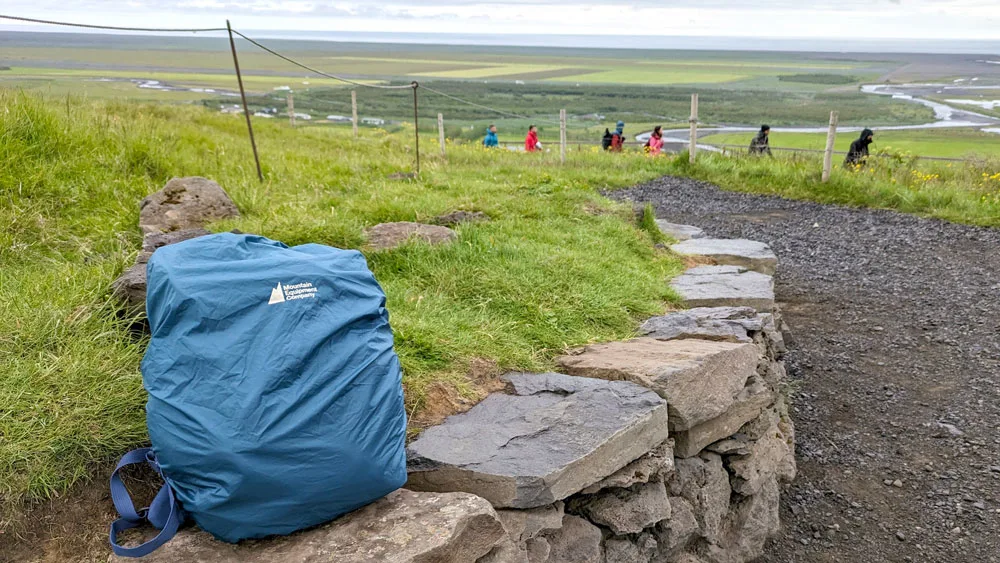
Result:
668,448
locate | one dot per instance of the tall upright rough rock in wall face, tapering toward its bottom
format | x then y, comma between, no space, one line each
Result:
704,483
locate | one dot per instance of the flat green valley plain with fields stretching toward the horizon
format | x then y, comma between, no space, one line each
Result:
597,87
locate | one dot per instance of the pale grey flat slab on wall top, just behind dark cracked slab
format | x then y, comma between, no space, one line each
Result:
725,286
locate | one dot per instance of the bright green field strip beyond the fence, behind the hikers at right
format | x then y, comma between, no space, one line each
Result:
952,143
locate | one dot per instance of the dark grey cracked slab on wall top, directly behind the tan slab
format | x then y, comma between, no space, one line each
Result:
725,324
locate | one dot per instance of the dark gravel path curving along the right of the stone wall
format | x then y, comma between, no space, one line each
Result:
895,360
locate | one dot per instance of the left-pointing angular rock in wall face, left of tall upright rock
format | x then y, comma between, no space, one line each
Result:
626,511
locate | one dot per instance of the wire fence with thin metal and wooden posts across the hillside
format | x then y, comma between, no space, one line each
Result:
414,86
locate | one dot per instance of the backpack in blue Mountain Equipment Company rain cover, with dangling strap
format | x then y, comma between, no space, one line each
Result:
275,396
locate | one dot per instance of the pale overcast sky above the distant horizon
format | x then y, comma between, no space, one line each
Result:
871,19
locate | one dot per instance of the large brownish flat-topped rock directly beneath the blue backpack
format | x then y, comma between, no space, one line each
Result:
404,527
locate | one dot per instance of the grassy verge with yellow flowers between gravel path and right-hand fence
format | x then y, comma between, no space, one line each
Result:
964,193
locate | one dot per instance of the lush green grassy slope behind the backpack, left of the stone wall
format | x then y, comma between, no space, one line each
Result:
558,265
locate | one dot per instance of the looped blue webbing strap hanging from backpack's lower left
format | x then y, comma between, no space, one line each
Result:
164,513
